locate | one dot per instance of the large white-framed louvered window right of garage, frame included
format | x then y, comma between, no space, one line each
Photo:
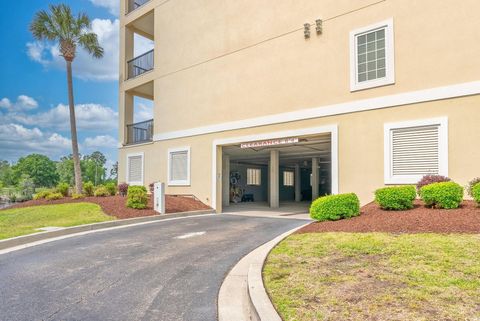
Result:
414,149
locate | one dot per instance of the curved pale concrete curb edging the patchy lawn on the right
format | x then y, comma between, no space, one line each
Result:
242,295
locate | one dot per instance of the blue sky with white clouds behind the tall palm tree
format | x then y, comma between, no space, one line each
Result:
33,89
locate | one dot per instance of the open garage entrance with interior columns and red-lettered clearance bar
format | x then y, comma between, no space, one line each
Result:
281,174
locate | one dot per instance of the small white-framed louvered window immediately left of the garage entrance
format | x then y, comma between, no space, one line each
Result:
179,166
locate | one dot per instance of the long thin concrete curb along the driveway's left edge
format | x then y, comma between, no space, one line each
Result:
22,240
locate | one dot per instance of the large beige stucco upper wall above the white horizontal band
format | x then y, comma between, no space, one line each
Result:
208,72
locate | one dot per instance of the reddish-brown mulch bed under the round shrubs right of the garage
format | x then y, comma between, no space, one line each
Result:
420,219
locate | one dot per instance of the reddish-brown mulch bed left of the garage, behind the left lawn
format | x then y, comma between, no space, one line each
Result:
115,205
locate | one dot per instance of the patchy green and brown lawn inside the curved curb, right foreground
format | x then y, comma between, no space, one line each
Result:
375,276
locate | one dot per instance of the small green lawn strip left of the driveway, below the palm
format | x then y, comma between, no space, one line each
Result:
21,221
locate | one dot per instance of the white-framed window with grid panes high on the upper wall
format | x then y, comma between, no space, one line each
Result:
372,56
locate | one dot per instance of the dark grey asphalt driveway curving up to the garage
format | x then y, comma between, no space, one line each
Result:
170,270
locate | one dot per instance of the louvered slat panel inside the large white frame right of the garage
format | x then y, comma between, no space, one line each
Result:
415,150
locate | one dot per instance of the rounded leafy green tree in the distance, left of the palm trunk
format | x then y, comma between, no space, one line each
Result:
40,168
